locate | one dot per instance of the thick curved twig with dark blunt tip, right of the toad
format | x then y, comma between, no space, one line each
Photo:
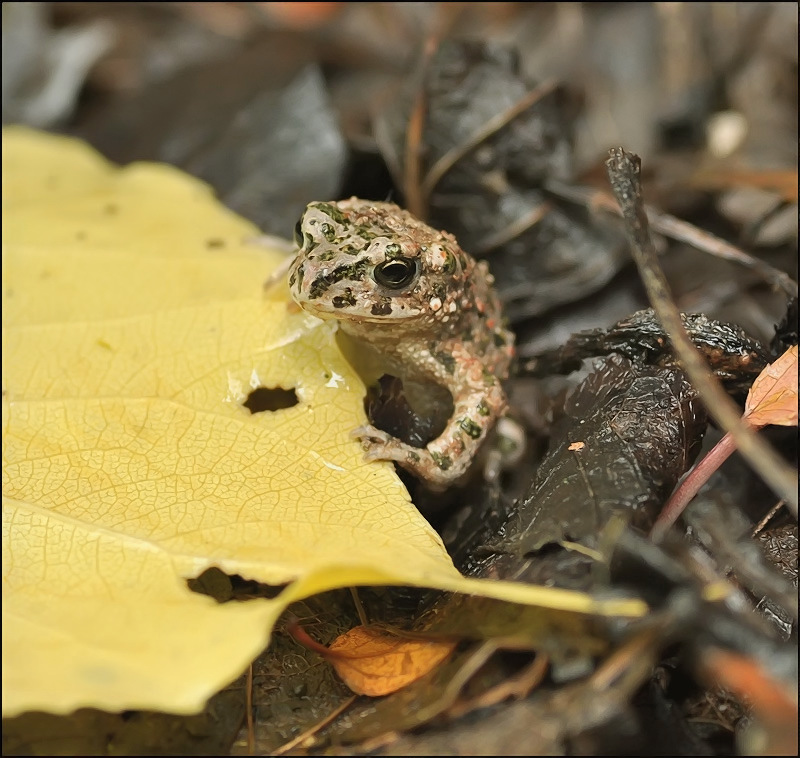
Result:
624,175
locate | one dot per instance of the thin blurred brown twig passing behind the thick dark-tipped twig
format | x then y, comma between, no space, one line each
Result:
672,227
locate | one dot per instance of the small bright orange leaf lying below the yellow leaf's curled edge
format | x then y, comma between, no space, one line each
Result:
373,662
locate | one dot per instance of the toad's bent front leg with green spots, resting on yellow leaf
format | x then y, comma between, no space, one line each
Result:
447,458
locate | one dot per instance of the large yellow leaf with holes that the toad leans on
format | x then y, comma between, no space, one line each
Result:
134,327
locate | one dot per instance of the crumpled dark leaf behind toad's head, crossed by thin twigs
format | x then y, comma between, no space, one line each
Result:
542,253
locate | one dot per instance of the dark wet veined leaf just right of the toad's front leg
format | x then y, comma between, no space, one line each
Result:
640,427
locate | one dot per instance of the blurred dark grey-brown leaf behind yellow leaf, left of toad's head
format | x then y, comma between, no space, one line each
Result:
257,126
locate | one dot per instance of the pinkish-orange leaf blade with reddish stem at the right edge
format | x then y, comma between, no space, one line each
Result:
773,397
